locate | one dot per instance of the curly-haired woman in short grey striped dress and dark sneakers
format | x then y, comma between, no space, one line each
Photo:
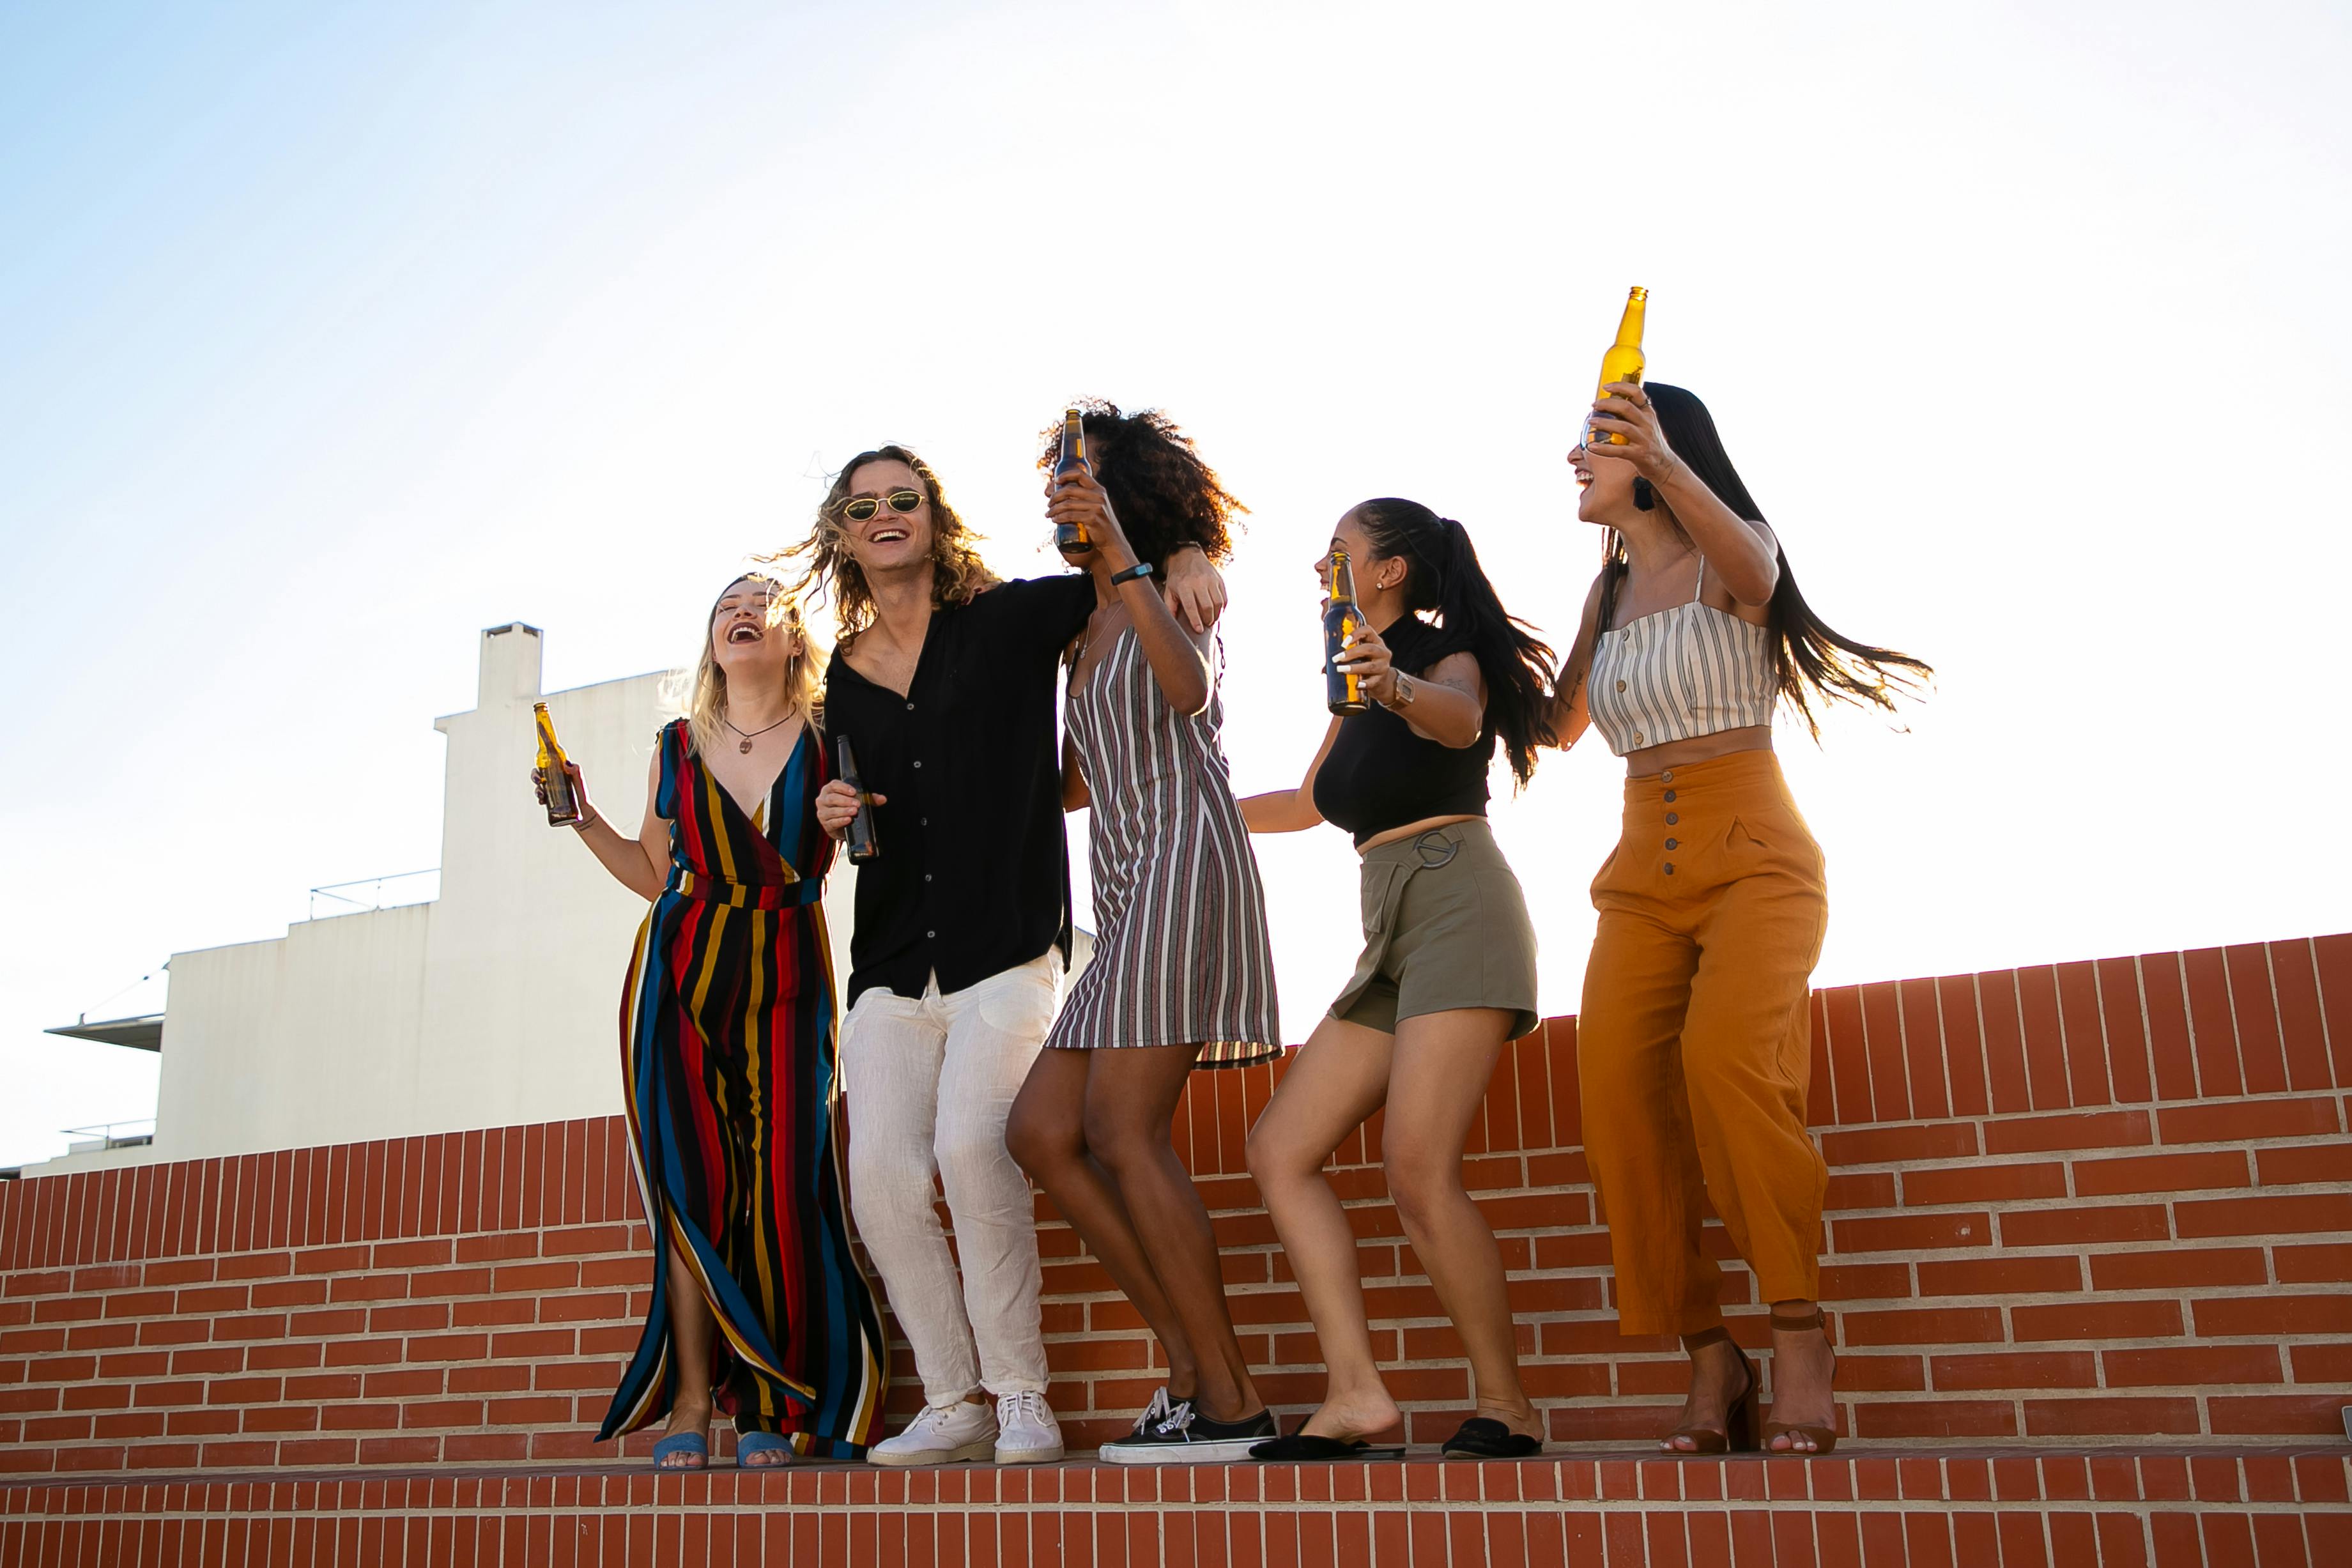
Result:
1182,970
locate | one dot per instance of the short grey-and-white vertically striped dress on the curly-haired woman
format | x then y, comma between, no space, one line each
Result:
1182,946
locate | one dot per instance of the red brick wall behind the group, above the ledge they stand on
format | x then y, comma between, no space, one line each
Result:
2071,1202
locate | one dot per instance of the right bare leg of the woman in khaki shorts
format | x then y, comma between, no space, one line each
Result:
1436,1087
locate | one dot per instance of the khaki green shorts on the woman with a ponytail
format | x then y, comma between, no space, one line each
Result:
1445,927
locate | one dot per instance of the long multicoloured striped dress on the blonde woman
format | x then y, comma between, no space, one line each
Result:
733,1118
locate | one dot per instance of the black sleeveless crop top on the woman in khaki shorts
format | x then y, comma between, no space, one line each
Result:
1379,775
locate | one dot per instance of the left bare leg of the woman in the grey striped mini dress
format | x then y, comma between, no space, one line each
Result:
1048,1134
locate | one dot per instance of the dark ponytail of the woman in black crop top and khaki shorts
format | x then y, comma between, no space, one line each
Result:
1443,575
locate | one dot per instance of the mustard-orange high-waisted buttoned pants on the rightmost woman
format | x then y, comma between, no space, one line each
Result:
1695,1040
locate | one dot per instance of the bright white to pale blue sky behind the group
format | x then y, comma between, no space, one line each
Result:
335,335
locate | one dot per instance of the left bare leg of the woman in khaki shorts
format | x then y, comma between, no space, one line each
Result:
1339,1080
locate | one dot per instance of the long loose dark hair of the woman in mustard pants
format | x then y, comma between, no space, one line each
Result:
1808,652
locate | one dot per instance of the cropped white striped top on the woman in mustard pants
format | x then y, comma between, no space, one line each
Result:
1678,674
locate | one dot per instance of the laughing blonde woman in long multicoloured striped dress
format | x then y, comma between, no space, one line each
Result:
728,1066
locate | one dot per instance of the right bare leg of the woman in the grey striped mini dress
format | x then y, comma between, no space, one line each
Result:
1130,1108
